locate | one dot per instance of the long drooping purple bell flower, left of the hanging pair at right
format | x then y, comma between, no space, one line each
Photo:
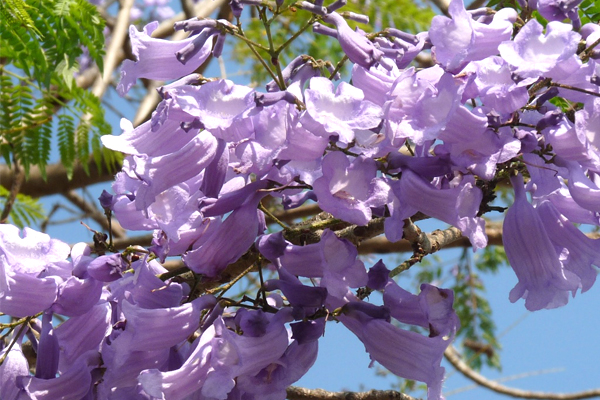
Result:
543,281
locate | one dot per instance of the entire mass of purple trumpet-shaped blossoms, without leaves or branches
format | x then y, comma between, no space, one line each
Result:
396,142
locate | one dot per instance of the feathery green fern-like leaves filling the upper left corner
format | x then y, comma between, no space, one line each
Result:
40,43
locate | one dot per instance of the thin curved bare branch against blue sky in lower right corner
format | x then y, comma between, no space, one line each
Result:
454,358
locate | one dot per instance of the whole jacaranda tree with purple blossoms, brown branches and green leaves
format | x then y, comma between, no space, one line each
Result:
358,124
